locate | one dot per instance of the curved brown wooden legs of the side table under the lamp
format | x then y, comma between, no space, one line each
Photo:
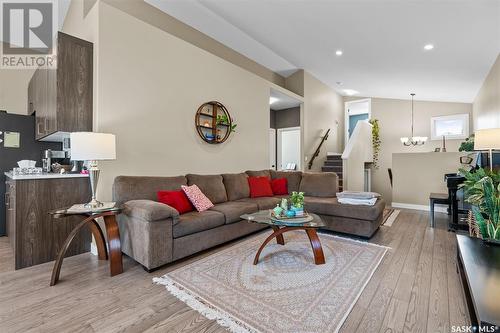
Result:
114,245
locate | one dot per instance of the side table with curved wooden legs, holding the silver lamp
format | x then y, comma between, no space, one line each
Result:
112,232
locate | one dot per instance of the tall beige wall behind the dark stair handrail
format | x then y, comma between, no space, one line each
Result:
323,109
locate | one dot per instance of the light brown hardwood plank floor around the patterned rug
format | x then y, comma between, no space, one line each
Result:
416,288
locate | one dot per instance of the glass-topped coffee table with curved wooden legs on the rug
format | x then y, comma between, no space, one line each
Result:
279,228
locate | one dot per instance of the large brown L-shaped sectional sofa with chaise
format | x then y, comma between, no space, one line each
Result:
154,234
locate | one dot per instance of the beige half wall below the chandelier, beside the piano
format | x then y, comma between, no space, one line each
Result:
416,175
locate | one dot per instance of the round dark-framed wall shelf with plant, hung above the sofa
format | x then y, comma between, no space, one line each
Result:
213,122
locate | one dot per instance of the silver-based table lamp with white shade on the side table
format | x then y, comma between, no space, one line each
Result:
93,147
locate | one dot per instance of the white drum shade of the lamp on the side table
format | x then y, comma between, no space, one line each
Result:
90,146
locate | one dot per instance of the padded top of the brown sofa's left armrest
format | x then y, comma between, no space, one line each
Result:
149,210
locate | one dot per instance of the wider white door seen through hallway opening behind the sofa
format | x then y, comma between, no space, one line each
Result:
288,147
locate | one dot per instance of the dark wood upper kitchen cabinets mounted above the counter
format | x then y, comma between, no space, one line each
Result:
61,98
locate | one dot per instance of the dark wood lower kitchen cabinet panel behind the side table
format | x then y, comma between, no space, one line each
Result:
34,235
